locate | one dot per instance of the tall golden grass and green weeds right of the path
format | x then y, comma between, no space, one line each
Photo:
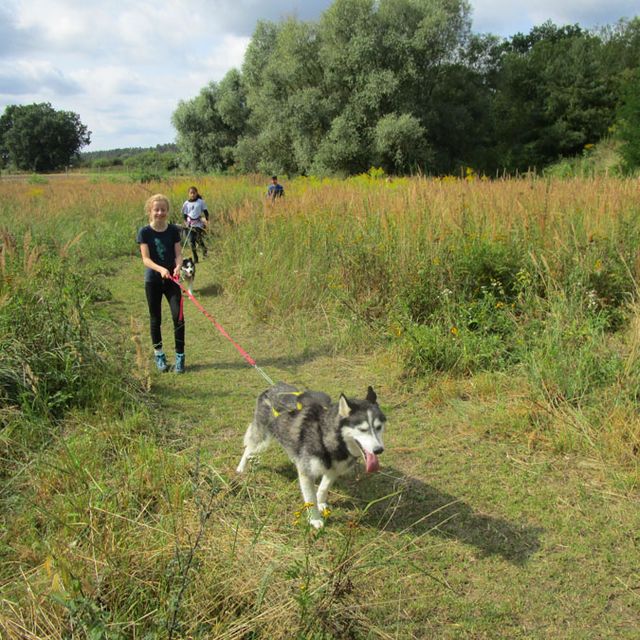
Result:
533,277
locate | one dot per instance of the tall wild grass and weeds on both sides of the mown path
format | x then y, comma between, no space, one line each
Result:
110,532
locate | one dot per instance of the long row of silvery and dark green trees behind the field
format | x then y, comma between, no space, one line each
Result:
405,85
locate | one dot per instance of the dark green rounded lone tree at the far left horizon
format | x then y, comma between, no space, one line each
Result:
36,137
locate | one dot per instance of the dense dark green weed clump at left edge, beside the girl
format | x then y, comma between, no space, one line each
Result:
52,357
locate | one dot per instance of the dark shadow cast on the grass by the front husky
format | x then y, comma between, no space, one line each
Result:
417,508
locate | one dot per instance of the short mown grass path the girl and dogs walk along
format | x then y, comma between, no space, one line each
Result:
479,536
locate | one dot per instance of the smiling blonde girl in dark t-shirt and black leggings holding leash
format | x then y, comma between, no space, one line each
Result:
162,256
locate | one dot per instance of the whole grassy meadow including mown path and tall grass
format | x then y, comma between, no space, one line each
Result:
499,323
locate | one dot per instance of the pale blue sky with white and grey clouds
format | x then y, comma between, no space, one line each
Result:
123,67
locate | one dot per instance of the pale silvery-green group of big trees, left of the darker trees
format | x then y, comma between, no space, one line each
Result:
333,97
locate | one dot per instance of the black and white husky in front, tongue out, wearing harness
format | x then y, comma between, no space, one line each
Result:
322,438
